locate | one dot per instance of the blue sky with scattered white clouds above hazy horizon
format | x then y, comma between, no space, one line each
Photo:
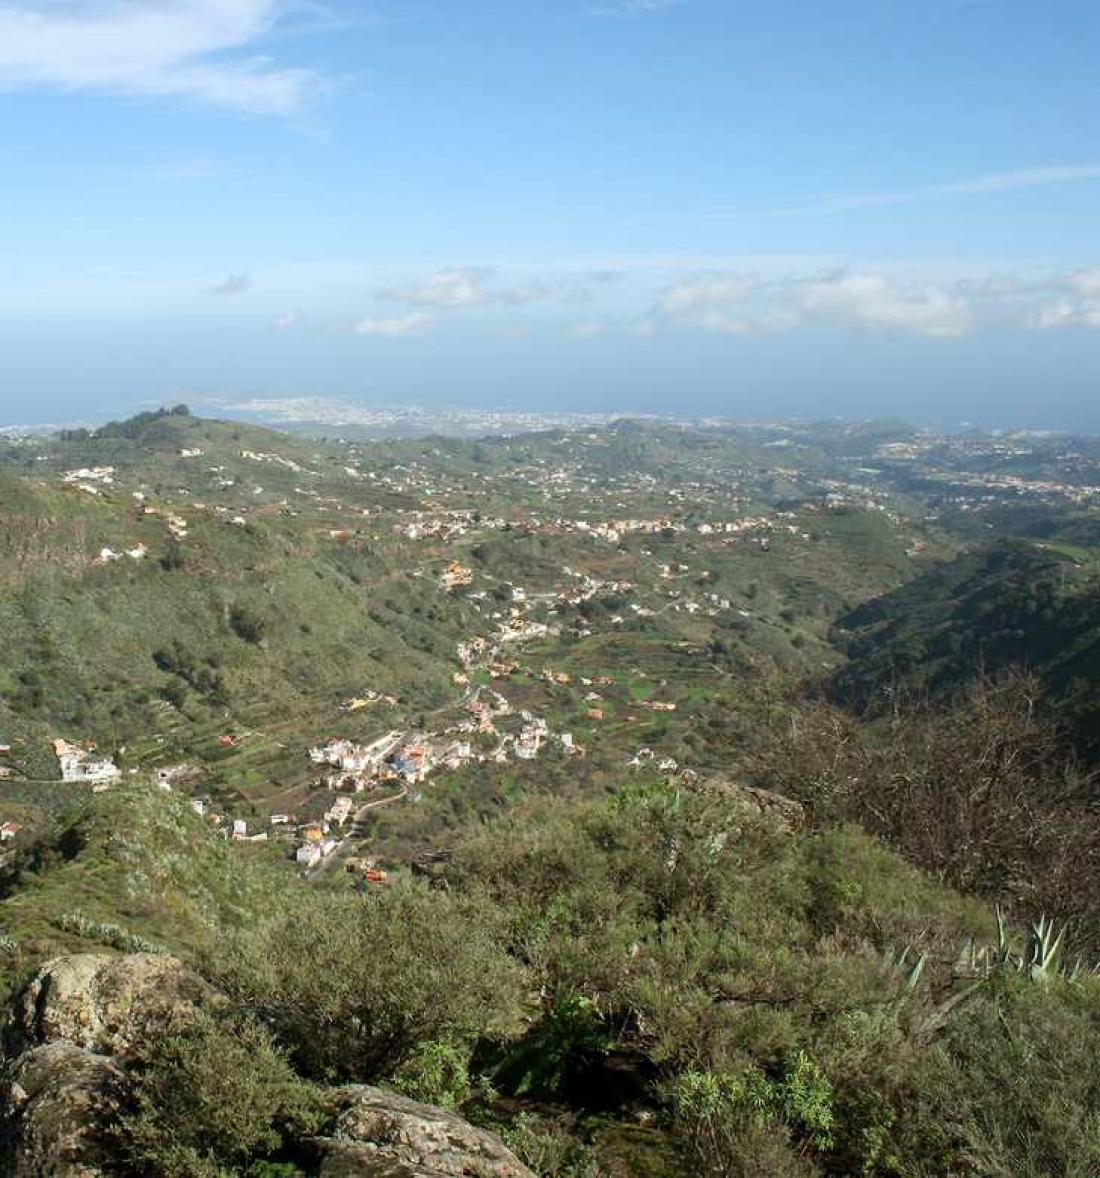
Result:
853,208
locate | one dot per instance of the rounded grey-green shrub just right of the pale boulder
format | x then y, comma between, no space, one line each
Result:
354,984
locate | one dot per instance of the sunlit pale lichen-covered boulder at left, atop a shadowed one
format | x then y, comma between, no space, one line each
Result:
105,1003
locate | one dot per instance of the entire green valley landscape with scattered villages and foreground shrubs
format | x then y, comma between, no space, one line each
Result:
573,778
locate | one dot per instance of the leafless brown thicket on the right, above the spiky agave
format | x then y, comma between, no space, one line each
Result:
980,795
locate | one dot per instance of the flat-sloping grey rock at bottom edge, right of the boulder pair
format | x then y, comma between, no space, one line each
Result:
382,1135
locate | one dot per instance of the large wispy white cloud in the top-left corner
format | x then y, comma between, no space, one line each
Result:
195,49
